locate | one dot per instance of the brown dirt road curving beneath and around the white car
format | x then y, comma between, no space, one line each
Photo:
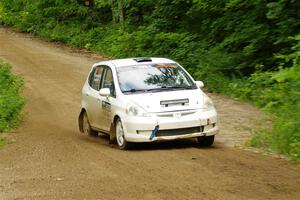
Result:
51,160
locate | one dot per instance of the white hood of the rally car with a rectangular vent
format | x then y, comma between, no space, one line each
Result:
168,101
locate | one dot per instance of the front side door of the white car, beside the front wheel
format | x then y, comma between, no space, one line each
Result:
108,102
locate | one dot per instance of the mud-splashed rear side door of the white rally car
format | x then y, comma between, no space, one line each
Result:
93,97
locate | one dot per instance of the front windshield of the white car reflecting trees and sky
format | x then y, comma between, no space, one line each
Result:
153,77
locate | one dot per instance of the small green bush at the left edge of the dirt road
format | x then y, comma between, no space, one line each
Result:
11,102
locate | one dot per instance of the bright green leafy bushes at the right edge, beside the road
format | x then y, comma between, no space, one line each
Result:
279,92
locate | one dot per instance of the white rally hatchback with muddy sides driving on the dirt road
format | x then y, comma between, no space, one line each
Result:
146,100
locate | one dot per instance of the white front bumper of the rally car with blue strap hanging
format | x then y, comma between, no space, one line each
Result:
139,129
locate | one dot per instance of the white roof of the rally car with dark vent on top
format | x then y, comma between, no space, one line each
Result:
135,61
